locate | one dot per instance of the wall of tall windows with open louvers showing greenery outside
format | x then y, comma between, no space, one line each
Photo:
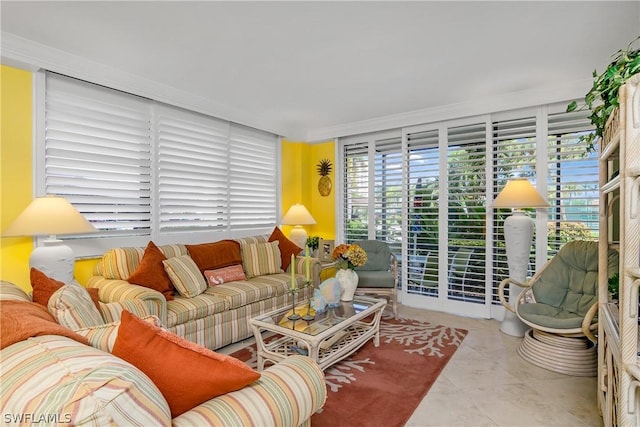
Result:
439,179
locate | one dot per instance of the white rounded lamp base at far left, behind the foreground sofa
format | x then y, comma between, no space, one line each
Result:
55,259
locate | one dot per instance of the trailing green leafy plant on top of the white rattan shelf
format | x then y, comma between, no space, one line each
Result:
604,92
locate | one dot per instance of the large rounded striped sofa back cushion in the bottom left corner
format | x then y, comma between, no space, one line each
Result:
78,385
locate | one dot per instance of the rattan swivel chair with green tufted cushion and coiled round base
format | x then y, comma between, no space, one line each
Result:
560,303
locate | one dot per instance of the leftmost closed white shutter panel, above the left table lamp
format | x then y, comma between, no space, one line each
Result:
98,154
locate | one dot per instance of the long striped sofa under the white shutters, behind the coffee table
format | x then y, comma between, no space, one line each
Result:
215,318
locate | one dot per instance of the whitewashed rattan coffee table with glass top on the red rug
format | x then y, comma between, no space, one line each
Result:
330,337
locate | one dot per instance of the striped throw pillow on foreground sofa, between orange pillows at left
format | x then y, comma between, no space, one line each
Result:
72,307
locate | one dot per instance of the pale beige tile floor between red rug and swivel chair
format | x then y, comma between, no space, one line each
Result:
487,384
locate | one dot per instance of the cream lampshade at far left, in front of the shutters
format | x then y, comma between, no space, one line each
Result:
50,215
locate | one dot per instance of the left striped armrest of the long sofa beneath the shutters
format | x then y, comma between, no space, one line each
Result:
114,290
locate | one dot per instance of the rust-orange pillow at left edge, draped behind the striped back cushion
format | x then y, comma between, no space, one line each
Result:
21,320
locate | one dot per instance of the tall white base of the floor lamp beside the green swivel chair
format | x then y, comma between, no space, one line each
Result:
518,235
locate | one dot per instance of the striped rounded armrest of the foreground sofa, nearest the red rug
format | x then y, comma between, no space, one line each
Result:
266,402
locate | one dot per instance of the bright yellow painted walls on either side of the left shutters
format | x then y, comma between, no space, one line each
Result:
299,178
